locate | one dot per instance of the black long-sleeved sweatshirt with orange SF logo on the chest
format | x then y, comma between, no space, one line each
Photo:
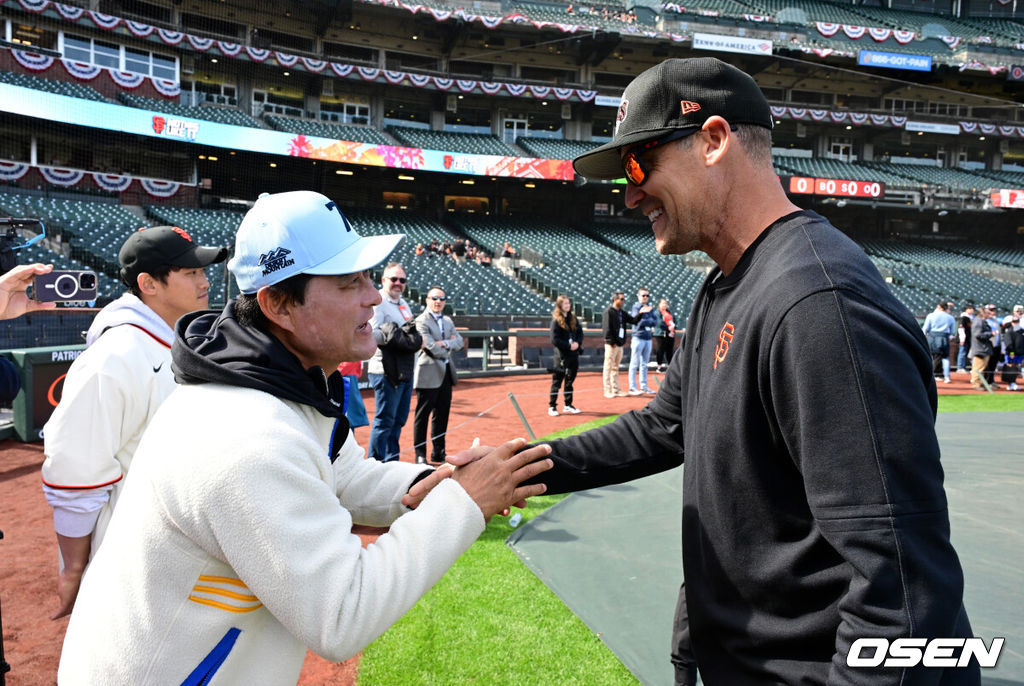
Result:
814,507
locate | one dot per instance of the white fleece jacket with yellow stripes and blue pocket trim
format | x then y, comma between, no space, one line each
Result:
232,550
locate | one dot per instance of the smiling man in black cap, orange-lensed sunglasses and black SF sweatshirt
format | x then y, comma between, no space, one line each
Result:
814,507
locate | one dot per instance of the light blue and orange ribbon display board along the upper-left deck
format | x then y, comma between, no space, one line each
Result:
31,103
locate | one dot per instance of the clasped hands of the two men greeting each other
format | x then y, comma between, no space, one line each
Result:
492,477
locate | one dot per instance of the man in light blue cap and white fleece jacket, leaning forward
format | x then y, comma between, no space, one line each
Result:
232,550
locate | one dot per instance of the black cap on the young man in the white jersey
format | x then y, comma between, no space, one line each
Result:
149,249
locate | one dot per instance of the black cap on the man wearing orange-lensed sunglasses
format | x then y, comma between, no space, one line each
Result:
676,95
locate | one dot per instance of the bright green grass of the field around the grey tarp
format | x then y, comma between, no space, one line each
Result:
491,621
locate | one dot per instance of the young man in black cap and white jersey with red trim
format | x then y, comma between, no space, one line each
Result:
114,389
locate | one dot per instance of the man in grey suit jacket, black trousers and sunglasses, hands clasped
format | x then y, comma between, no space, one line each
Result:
435,376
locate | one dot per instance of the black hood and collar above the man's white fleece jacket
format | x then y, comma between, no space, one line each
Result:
214,348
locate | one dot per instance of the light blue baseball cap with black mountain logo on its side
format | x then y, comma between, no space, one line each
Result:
302,233
